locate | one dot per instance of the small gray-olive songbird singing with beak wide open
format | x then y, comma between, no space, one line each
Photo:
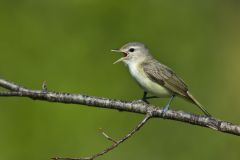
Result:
153,77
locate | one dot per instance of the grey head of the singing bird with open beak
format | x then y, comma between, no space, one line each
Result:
133,52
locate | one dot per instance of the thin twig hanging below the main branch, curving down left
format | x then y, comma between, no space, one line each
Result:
115,144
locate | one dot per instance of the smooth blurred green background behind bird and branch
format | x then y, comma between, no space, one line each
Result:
67,43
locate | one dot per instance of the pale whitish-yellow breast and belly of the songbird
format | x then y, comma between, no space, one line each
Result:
147,84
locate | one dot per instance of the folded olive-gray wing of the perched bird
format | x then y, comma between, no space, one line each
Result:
164,76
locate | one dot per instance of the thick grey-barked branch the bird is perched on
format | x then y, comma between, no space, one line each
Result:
142,108
